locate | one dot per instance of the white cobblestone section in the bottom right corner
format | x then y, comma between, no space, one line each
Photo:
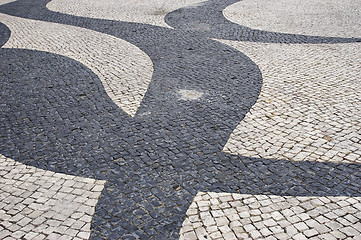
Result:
216,223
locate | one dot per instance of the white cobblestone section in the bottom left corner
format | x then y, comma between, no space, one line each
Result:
39,204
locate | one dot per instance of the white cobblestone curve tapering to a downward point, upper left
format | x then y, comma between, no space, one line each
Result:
124,70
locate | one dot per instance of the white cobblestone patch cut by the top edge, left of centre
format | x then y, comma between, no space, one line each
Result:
140,11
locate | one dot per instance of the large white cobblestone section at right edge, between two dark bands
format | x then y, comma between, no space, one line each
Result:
309,107
